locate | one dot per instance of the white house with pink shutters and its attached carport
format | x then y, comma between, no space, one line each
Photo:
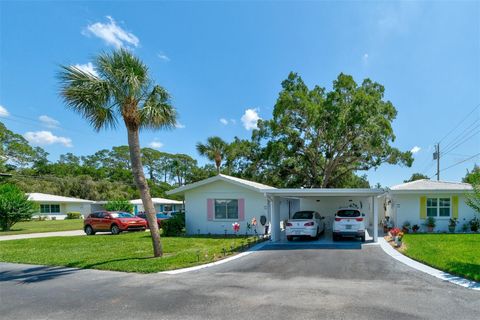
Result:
213,204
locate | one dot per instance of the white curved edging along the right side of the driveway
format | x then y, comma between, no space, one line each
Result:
445,276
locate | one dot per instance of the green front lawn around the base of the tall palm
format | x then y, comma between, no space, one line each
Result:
130,252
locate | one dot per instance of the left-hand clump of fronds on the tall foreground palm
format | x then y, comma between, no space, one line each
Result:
87,95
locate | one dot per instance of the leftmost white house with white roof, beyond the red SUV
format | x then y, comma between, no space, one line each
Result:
57,207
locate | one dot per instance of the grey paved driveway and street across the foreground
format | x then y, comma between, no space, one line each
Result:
268,284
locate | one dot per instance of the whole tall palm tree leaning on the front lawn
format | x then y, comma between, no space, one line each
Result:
121,90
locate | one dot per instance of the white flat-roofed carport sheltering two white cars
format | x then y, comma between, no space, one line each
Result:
282,203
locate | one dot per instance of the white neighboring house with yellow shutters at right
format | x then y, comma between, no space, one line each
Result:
415,201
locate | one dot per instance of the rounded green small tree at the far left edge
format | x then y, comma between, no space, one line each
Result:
14,206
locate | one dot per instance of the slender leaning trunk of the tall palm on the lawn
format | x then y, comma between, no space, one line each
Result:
139,176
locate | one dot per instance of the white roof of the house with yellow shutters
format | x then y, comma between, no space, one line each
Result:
431,186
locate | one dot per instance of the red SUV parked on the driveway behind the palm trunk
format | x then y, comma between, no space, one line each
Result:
115,222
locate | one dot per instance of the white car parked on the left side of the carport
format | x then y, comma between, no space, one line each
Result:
305,223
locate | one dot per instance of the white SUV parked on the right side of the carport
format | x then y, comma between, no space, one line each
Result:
349,222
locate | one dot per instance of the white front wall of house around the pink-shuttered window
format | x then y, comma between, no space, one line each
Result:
196,208
